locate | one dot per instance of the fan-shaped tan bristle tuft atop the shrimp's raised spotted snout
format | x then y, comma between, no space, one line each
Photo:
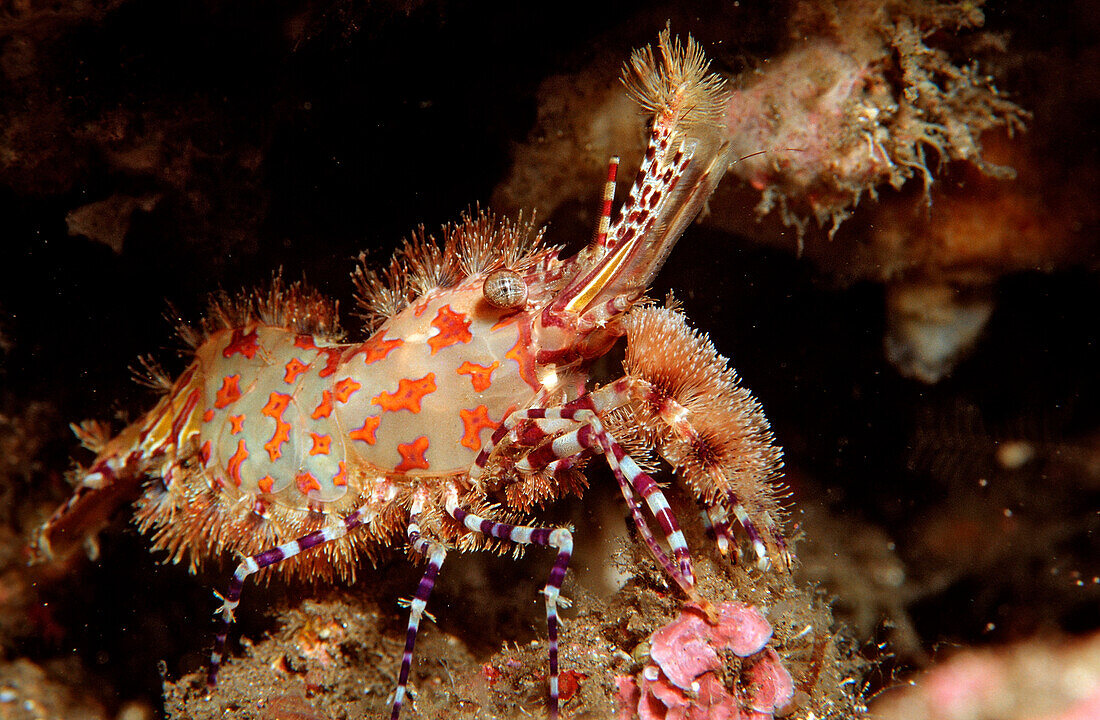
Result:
677,87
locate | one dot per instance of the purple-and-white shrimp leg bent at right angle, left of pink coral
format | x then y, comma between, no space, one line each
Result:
558,538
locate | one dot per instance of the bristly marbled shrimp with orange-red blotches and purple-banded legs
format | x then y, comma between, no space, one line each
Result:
468,406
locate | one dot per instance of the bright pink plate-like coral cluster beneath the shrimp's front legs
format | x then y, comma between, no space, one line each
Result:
684,682
